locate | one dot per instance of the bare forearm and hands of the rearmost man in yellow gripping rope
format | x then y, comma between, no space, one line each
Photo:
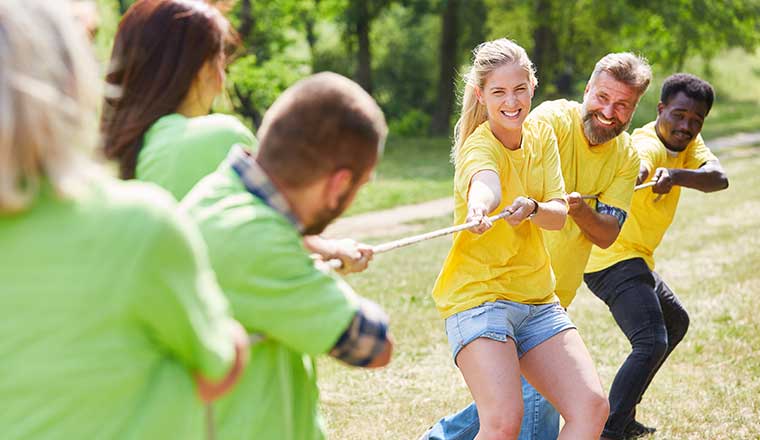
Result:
709,177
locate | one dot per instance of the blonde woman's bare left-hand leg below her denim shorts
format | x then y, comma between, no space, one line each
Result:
492,372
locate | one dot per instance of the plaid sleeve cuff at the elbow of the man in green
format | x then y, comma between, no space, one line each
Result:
365,337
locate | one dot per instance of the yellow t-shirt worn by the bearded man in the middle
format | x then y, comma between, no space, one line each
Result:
608,170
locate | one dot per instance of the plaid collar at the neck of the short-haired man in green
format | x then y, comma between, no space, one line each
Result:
259,184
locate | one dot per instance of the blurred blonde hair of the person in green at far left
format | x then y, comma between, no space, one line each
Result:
48,100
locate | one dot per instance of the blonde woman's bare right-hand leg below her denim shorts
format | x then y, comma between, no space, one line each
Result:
561,369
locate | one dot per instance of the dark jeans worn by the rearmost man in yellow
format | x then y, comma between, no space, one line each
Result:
653,320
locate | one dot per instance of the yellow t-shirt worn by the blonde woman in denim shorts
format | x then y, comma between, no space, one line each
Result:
509,263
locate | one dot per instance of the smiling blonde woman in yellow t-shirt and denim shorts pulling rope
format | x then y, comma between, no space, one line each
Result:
496,287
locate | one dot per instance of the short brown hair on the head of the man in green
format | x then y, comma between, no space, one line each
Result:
321,124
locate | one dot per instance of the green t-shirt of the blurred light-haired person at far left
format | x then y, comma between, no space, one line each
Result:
108,307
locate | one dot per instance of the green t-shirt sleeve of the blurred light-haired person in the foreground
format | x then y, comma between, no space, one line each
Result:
180,302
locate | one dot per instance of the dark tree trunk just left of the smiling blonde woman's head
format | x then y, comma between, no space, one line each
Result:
447,69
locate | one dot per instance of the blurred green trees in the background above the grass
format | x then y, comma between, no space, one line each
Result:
410,54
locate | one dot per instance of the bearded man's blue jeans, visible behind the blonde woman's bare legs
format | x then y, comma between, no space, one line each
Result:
540,420
